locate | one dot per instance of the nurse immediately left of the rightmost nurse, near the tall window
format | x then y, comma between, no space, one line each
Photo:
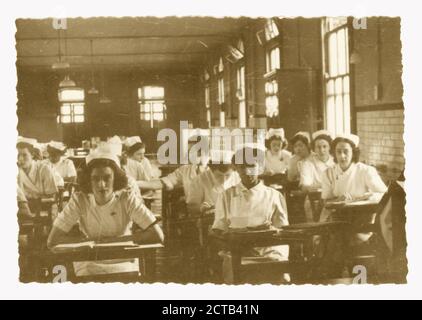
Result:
313,167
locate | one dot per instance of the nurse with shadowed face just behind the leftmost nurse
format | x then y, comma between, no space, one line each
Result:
63,166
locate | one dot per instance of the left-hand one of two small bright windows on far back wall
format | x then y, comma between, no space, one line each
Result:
72,105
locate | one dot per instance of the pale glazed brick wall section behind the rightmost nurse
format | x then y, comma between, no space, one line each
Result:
382,145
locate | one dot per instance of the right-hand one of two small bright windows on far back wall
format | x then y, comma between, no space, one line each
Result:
152,104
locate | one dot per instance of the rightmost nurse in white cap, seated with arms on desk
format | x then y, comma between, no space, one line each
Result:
349,179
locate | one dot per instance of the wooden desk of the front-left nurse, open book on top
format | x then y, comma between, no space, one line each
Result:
144,252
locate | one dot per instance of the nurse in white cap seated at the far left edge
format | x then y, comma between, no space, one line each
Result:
35,179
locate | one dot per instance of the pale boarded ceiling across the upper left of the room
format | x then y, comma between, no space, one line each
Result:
146,42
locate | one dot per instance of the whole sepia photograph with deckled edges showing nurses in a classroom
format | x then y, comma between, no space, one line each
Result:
210,150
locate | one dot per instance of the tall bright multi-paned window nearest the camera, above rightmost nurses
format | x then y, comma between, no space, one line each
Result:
336,75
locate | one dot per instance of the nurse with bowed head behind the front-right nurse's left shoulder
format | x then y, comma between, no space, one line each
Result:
205,188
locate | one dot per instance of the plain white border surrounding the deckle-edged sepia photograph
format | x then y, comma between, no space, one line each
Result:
411,51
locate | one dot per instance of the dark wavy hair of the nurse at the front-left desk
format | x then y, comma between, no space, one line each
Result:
120,178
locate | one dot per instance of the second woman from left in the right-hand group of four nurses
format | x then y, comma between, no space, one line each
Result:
301,151
